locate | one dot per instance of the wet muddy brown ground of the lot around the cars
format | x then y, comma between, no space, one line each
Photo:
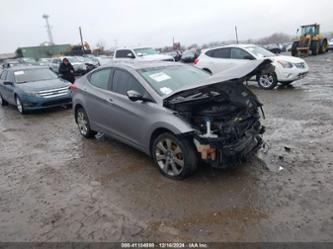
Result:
57,186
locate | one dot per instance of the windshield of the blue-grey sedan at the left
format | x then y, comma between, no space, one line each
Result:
36,74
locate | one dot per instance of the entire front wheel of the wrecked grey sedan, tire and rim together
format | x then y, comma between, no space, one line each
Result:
175,157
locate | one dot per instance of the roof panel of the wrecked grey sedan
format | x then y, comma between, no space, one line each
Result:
134,64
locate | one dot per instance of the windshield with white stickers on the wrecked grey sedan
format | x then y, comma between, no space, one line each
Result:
169,79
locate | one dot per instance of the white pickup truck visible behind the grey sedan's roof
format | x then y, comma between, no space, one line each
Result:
146,53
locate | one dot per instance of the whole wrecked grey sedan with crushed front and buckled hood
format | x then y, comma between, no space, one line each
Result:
174,112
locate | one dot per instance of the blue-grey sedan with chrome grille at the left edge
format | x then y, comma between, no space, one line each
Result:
33,87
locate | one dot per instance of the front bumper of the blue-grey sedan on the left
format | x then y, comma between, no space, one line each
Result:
35,103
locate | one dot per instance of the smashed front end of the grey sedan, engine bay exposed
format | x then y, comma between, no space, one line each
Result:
225,118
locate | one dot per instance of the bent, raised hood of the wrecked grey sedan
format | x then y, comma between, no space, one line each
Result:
214,85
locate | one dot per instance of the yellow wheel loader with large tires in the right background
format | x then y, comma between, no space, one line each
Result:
311,41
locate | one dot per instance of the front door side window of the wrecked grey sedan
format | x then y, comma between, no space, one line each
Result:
123,81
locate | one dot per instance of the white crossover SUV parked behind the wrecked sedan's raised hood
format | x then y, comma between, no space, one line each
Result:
219,59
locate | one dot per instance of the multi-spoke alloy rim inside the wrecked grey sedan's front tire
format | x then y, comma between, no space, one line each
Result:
169,157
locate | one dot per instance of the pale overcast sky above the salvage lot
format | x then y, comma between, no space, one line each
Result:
154,22
